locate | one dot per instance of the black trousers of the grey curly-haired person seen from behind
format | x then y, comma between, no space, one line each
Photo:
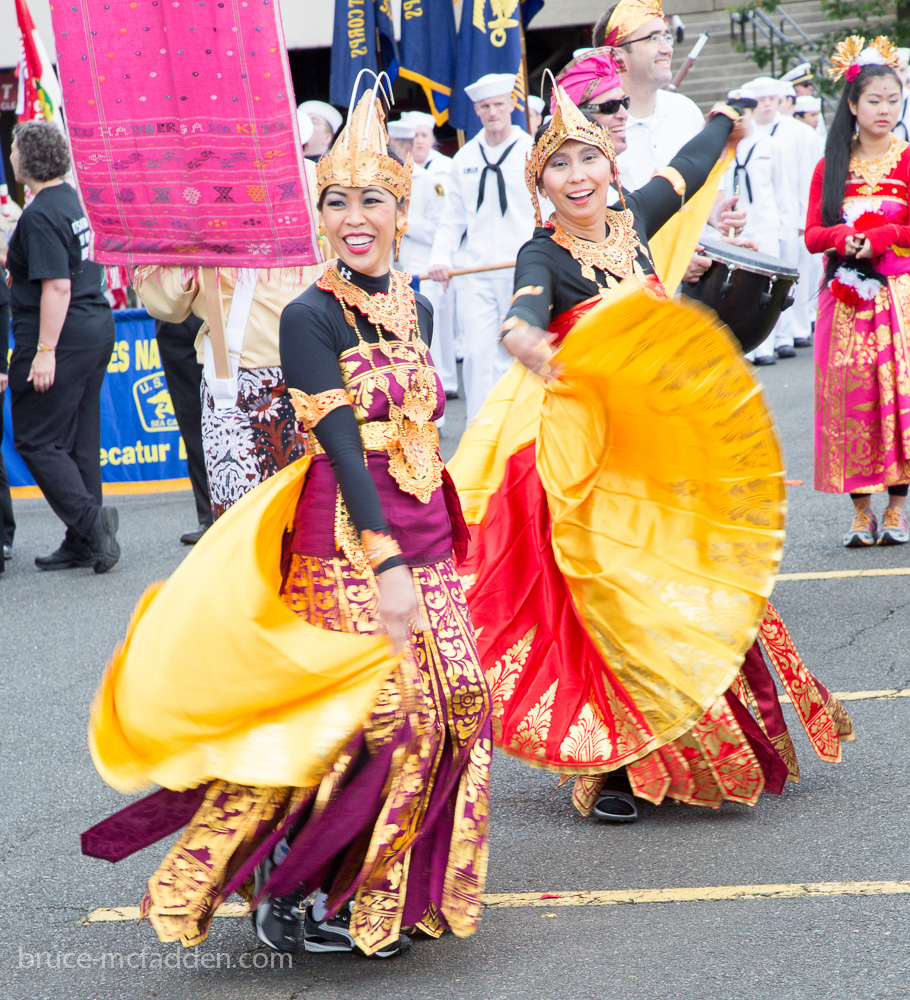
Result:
58,433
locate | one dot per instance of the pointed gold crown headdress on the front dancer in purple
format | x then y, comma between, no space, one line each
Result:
359,156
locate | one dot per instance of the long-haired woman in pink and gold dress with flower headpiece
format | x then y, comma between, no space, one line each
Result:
858,217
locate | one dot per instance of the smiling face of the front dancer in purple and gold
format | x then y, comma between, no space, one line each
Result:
360,225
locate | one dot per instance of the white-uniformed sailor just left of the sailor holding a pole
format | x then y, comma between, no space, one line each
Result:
428,190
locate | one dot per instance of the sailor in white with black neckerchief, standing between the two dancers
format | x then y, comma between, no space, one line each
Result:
487,211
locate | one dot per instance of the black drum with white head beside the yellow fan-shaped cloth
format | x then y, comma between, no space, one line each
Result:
747,290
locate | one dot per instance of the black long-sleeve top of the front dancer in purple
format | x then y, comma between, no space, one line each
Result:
313,333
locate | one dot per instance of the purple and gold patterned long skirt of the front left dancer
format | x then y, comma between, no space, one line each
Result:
401,812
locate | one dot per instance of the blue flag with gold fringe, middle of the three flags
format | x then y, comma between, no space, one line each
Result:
428,50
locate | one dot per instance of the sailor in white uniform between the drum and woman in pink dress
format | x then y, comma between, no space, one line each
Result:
799,152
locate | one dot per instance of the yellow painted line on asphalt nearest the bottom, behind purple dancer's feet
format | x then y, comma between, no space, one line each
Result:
615,897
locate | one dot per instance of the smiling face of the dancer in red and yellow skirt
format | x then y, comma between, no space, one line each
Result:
576,179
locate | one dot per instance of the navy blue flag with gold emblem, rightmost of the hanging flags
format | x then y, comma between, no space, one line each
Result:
489,42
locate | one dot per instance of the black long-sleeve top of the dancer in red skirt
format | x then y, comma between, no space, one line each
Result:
543,264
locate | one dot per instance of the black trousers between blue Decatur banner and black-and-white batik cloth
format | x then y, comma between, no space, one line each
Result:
183,374
